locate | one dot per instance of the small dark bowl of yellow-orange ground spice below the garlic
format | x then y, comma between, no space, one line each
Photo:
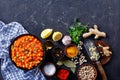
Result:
71,50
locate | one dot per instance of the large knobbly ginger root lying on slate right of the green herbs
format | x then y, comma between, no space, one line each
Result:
94,31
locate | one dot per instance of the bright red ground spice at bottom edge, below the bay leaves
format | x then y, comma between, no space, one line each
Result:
63,74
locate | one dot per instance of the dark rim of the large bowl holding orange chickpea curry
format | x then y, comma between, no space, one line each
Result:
11,51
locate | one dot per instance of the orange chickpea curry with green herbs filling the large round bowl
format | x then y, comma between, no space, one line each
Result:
26,51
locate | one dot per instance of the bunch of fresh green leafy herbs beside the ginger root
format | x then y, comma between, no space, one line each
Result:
76,31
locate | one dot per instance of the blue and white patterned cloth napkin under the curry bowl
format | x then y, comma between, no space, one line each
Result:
8,70
